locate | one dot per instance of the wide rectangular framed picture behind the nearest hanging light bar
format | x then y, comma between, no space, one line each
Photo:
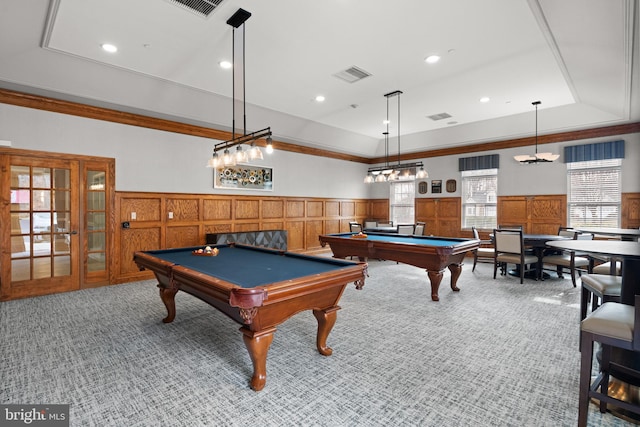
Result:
243,177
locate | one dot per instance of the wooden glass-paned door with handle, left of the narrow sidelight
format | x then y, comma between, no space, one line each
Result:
43,257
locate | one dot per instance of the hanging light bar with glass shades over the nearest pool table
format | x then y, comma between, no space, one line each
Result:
239,155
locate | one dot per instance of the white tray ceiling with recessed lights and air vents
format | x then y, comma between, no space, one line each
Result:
579,57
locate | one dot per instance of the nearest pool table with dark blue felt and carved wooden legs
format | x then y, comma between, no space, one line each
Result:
258,288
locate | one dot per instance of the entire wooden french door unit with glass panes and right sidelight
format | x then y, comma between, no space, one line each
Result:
55,211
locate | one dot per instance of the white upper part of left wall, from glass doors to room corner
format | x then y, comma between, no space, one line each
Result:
157,161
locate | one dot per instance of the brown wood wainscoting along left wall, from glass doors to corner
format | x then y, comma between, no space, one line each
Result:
195,215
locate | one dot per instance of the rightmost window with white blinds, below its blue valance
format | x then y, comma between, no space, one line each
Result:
594,193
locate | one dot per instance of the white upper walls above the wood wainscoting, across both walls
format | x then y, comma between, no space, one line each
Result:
157,161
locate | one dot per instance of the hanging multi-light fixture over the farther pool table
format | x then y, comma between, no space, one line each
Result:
398,171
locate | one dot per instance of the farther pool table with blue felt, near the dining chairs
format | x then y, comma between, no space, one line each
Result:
431,253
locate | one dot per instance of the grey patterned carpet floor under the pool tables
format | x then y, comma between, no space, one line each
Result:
497,353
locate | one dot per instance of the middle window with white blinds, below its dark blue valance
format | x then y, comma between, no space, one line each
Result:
479,198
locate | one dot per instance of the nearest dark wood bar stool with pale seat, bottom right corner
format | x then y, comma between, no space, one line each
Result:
613,325
